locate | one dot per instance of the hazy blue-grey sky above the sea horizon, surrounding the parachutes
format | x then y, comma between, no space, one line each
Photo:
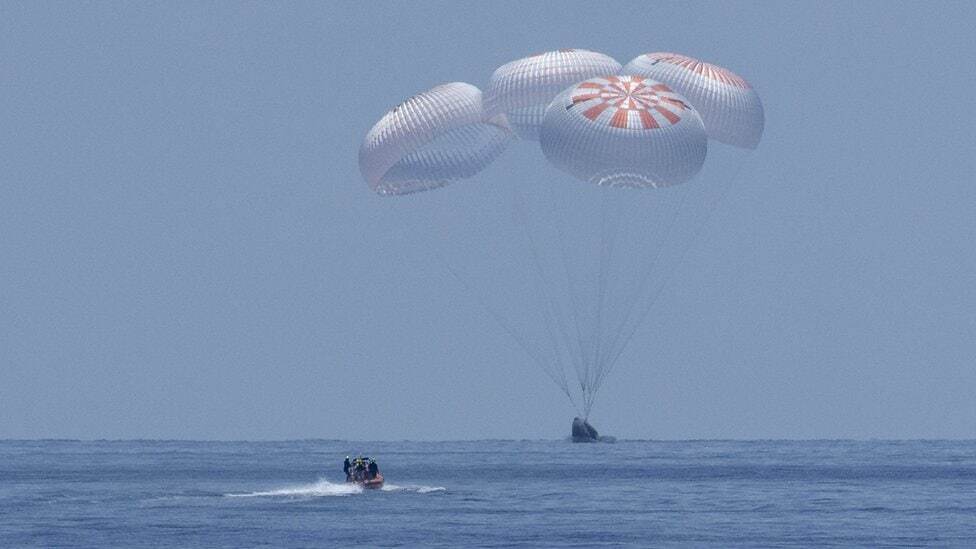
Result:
188,250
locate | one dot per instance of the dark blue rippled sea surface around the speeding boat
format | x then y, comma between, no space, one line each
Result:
489,493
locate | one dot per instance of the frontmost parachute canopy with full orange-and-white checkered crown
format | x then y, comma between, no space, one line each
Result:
624,131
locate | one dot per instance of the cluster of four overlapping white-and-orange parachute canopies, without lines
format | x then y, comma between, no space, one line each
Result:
646,124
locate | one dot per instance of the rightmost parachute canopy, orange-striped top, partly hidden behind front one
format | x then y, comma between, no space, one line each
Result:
729,106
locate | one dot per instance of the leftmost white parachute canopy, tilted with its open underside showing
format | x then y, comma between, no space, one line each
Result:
430,140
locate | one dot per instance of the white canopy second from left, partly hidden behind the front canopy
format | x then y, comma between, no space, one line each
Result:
522,89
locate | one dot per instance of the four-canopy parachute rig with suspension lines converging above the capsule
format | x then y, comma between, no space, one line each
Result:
601,244
